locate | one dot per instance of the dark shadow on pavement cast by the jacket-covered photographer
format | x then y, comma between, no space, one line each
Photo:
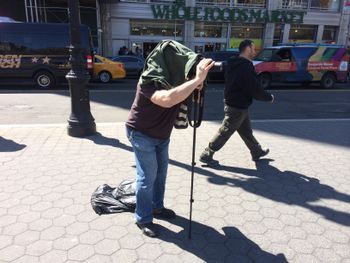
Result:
211,246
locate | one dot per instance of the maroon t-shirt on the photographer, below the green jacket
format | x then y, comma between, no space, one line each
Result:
149,118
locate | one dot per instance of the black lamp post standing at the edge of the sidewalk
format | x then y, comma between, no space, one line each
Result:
80,122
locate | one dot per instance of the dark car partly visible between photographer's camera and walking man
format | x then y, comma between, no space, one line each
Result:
219,56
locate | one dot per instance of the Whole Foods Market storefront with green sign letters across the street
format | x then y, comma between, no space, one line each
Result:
211,25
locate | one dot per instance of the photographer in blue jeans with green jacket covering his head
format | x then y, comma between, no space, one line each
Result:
170,75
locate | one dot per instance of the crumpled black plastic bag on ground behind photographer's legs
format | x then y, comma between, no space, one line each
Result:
107,200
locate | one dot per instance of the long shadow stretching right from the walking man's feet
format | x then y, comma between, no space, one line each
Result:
286,187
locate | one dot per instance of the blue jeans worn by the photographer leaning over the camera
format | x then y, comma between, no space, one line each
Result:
152,157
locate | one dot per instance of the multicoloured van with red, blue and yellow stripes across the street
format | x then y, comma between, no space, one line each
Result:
302,63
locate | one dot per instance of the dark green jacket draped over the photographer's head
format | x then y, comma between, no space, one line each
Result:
170,64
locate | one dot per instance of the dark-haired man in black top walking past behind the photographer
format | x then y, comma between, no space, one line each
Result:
241,87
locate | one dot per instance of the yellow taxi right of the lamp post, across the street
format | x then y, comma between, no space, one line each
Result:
106,70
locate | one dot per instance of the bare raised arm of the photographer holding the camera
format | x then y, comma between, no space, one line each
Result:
169,98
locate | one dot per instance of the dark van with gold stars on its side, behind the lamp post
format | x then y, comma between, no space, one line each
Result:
39,52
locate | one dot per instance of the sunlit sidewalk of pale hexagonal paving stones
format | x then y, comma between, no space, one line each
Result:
292,207
